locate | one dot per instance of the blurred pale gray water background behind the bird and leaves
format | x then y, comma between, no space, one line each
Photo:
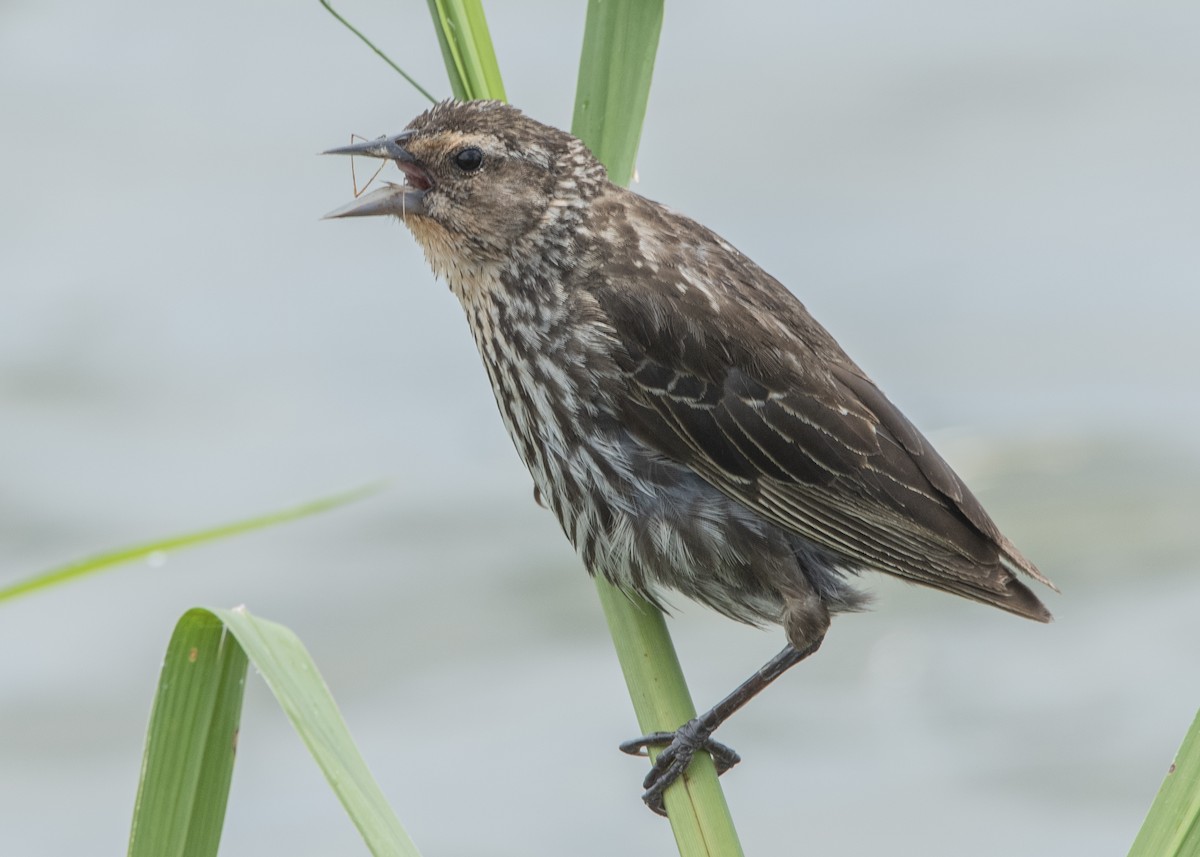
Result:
993,207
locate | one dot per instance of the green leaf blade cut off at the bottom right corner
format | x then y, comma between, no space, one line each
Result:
1173,825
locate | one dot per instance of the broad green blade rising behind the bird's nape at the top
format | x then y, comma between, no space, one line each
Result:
620,43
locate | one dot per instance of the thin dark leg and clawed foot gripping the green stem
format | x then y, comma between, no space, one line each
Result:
697,735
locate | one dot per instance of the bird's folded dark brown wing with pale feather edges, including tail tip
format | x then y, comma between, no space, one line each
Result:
771,412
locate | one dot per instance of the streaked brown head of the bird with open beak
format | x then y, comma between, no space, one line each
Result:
479,176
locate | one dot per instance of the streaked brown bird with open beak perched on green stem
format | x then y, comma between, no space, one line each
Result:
691,425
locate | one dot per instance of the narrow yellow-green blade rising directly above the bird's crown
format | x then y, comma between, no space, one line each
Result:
467,50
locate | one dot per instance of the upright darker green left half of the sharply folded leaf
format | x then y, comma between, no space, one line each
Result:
190,744
